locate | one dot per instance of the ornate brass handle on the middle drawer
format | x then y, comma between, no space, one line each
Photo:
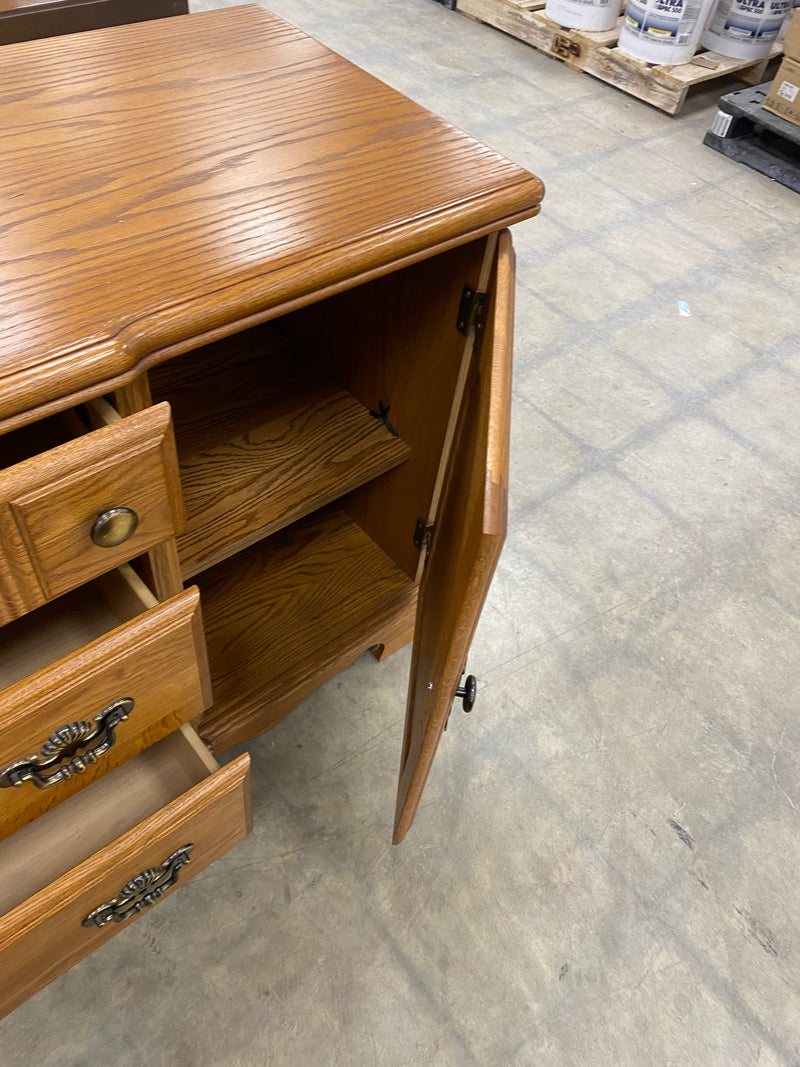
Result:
47,769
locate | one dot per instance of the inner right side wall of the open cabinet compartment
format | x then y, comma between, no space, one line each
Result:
396,339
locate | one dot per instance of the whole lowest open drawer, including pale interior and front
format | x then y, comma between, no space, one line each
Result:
70,881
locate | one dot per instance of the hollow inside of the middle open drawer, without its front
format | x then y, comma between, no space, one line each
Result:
68,624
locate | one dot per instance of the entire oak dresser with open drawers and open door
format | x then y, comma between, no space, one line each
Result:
258,339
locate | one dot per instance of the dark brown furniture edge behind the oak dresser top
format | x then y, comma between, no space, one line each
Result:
30,20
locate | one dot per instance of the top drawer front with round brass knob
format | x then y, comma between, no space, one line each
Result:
86,507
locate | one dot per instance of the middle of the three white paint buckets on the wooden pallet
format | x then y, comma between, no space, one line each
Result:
663,31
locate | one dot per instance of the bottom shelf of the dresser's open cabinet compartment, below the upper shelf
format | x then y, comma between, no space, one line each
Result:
280,617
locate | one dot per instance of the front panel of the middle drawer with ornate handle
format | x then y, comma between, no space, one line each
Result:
54,737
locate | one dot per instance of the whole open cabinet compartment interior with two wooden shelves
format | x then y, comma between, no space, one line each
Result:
310,448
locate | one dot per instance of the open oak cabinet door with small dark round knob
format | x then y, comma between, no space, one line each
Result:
467,543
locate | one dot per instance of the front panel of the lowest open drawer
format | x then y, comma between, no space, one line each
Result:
46,935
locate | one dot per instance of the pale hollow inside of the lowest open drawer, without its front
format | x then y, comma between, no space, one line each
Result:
56,842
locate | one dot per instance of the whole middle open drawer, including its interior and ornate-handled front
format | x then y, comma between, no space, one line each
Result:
89,681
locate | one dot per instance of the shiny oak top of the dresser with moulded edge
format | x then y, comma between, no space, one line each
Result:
171,182
